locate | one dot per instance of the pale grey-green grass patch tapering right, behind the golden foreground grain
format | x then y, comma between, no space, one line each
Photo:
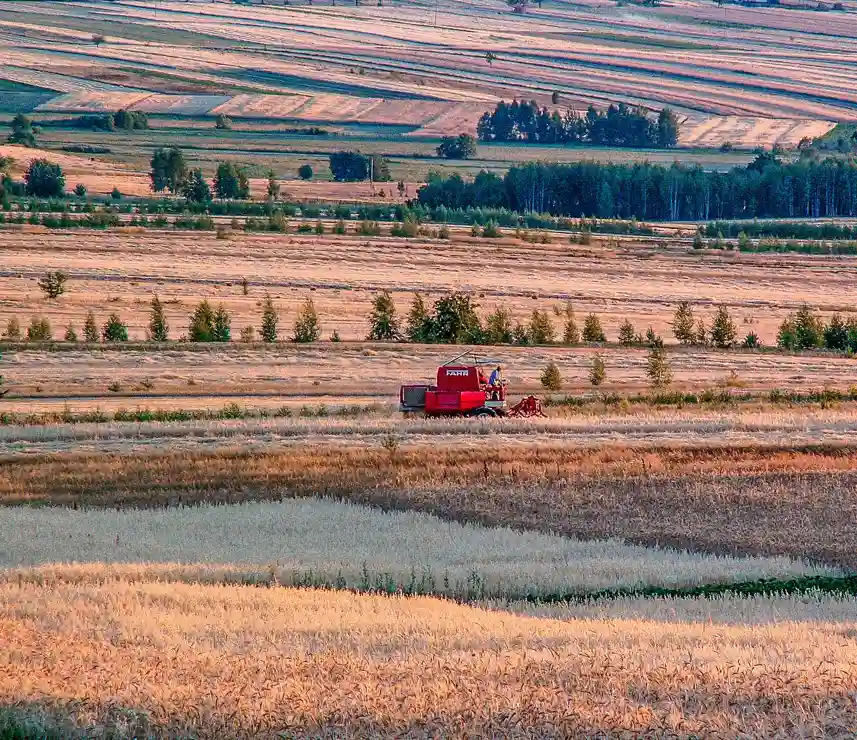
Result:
336,544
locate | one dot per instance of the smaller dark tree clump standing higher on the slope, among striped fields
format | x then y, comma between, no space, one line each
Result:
617,126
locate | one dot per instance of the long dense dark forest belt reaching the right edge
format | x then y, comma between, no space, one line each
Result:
766,188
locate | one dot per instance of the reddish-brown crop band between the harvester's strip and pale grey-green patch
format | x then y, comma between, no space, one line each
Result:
754,500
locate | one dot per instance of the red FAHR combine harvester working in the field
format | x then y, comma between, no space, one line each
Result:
463,390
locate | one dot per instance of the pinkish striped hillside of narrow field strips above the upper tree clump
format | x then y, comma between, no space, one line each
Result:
426,66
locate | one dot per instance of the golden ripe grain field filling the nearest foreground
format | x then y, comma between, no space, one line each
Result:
370,666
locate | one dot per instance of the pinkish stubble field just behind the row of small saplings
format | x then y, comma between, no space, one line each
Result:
641,280
